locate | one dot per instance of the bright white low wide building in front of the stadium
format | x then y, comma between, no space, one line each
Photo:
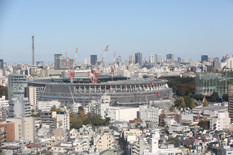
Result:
122,113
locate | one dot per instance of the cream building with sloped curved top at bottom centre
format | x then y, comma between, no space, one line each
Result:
106,141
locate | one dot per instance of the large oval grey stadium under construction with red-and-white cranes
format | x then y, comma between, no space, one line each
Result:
123,90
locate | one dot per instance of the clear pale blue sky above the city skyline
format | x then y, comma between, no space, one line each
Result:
187,29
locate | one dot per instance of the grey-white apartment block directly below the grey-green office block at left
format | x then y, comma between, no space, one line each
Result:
19,108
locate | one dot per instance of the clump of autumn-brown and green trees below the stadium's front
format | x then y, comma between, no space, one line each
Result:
84,119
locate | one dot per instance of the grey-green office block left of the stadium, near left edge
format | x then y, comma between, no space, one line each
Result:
17,85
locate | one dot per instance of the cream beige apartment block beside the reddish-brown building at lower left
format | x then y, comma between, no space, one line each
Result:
24,128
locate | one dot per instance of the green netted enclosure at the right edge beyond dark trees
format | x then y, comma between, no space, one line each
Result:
207,83
